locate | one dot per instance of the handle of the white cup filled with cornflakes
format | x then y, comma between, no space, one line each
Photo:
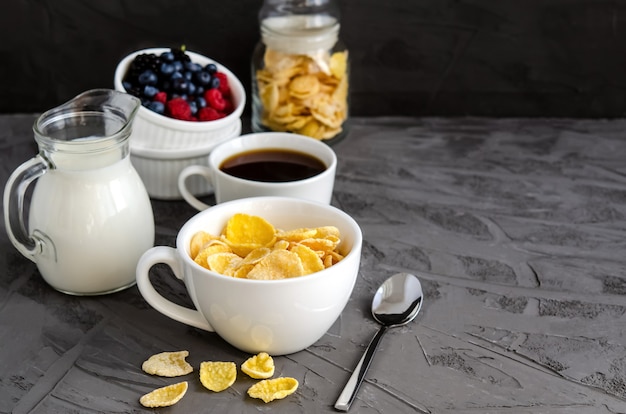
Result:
168,256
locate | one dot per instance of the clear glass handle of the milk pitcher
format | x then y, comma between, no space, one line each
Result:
30,245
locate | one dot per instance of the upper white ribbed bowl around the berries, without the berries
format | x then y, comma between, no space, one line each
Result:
153,131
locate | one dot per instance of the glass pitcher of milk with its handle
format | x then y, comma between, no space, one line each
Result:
90,217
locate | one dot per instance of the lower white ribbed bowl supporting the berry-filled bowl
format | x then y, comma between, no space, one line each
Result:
159,169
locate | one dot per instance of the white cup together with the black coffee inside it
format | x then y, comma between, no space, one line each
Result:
266,164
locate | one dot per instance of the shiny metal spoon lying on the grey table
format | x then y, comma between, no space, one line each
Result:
396,302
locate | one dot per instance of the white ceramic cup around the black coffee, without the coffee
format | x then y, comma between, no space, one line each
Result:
227,187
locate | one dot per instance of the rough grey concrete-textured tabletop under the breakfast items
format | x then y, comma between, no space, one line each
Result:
516,228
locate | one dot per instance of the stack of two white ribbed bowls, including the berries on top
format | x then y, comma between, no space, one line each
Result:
190,104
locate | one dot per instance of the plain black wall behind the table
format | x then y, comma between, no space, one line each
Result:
417,57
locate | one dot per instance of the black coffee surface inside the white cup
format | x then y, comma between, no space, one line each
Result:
273,165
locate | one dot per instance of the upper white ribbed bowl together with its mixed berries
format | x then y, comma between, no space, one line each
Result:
189,100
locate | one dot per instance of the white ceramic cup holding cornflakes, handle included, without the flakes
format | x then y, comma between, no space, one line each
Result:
274,316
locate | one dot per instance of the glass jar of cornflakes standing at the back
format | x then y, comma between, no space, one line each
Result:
300,70
